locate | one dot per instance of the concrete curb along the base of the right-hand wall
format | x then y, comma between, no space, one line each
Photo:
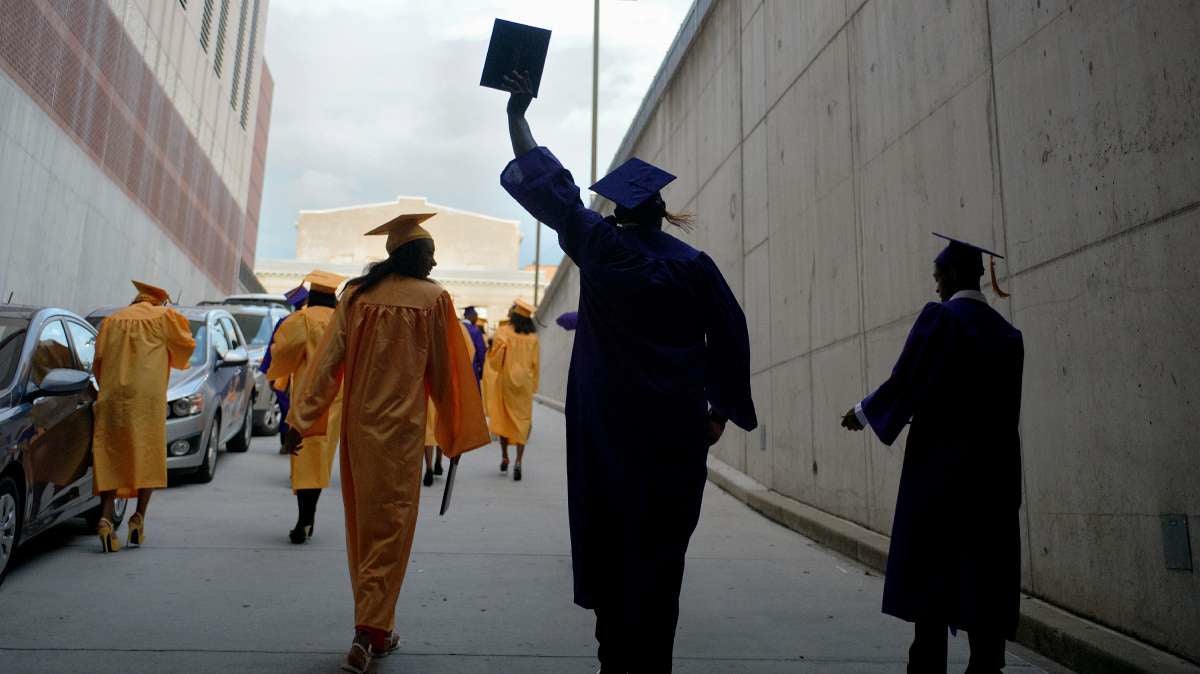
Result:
1061,636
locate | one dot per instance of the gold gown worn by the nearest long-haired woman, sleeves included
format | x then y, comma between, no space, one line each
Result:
395,346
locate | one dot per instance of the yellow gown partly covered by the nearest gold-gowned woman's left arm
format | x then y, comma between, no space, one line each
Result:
295,348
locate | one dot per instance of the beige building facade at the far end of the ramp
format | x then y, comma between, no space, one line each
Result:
477,255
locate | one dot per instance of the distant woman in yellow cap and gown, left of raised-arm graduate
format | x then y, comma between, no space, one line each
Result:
512,378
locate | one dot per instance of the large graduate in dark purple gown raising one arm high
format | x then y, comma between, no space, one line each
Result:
647,394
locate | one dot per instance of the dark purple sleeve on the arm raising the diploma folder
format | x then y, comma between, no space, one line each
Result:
547,190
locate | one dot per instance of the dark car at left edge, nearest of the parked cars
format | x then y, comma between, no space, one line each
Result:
46,424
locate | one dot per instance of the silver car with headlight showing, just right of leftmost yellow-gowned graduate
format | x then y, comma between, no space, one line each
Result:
208,405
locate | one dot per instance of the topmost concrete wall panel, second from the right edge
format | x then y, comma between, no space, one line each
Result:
914,57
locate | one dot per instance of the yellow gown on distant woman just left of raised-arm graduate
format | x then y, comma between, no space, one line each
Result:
513,363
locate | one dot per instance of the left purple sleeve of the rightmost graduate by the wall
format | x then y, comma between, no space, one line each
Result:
892,406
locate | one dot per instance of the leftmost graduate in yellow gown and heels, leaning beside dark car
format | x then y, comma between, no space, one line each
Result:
136,350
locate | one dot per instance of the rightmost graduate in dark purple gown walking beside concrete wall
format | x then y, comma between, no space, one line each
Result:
956,556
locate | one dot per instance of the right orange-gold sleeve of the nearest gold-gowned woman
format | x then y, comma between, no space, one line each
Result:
452,386
